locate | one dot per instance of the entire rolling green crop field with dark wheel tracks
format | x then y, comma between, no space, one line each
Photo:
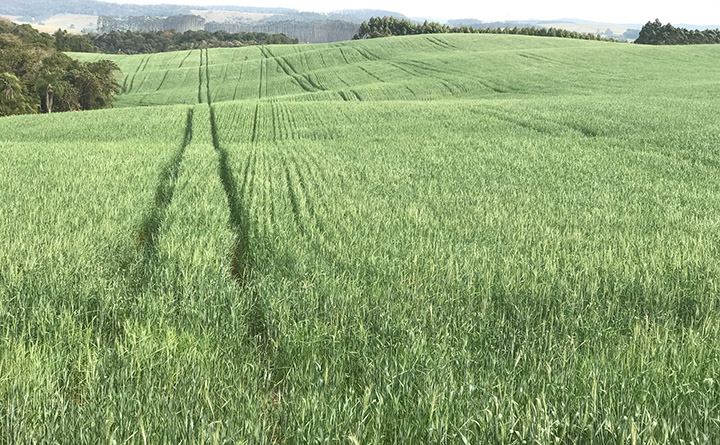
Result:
428,239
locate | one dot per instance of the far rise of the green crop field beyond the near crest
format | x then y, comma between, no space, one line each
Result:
415,68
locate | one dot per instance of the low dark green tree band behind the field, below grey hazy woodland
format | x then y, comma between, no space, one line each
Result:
135,42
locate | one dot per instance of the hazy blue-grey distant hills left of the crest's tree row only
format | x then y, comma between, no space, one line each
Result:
97,16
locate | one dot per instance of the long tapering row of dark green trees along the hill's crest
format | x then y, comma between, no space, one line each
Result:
391,26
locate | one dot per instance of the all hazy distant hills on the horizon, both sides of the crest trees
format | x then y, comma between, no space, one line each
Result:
310,27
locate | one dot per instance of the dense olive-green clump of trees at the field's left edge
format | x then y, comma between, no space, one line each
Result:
37,78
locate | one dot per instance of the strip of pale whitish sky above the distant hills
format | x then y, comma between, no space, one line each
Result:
697,12
